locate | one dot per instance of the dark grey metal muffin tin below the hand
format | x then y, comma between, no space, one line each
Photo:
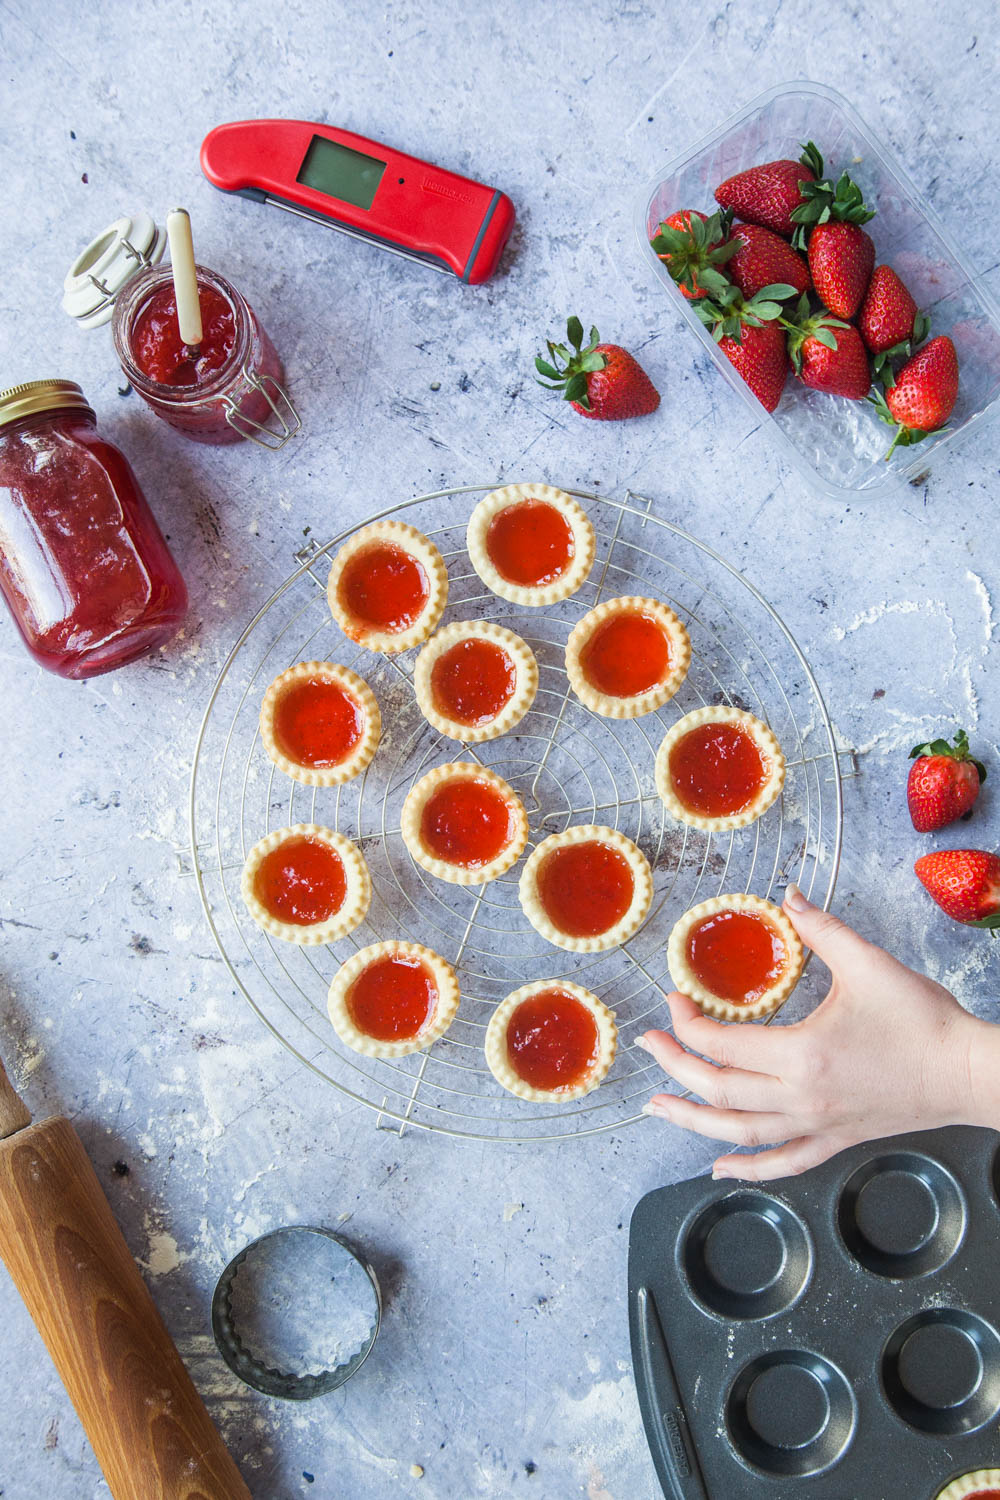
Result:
833,1336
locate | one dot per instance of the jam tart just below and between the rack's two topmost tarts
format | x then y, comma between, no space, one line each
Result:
476,680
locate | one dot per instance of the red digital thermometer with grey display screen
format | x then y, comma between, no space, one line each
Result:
364,190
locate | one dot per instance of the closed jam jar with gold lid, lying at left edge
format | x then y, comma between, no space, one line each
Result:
85,569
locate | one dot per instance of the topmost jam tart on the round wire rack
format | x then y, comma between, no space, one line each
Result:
531,544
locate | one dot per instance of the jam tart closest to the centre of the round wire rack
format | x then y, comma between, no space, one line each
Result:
464,824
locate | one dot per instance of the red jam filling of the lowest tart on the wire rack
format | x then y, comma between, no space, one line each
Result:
552,1042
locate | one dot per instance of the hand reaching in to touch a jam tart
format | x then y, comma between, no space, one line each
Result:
887,1052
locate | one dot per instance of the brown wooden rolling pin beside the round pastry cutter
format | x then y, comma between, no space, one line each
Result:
62,1246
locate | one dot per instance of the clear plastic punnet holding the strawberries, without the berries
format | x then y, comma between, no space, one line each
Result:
840,445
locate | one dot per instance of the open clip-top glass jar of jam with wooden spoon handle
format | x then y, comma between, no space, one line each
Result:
226,391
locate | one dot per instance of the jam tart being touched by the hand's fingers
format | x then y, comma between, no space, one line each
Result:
735,956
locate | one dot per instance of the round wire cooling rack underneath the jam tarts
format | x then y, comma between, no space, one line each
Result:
569,767
